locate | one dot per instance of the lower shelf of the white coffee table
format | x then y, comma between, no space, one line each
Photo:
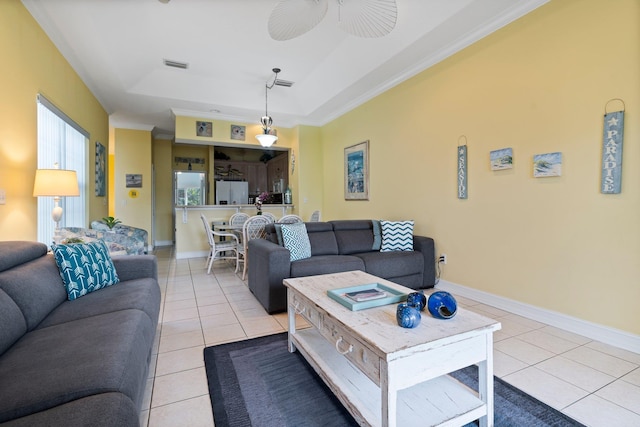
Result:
442,401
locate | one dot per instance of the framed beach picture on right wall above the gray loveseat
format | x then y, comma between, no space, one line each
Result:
356,172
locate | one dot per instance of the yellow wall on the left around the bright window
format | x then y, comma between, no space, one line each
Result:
32,65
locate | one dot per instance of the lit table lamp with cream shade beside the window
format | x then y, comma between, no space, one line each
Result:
56,183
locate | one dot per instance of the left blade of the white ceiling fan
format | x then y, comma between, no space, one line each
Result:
292,18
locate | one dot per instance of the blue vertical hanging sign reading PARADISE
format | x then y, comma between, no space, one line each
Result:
611,182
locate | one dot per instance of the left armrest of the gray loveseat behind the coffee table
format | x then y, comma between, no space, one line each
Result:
269,264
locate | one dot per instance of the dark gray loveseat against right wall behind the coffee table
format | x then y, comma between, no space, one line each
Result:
336,246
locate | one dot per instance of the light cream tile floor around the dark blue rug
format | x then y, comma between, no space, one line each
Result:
594,383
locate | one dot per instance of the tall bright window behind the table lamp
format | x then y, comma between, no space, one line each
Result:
63,142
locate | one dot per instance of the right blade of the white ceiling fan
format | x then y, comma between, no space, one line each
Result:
368,18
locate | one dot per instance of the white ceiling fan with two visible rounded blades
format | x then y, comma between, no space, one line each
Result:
361,18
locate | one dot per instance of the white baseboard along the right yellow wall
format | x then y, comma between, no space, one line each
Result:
594,331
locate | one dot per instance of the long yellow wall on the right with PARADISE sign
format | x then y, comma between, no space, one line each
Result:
539,85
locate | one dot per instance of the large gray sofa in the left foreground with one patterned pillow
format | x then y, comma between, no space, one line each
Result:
73,363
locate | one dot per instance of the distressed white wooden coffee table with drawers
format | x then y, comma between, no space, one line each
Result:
386,375
